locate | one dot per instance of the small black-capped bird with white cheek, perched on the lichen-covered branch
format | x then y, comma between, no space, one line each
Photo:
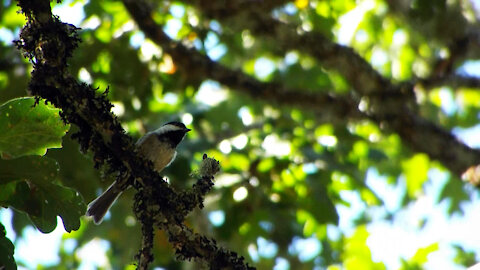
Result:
158,146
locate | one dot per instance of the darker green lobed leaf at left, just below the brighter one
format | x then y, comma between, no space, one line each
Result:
27,185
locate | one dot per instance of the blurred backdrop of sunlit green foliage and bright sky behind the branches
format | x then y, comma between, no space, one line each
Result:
296,190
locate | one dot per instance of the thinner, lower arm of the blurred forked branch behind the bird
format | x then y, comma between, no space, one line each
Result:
197,65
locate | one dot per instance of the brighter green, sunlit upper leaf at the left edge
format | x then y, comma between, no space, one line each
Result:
29,130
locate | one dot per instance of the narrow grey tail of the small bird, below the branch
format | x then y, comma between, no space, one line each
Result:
99,207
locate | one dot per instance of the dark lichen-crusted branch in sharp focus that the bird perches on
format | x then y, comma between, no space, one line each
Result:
48,43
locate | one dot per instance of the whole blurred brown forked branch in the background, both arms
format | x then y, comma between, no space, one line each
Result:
392,106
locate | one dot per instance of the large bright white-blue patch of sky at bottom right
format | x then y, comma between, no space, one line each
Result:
422,223
